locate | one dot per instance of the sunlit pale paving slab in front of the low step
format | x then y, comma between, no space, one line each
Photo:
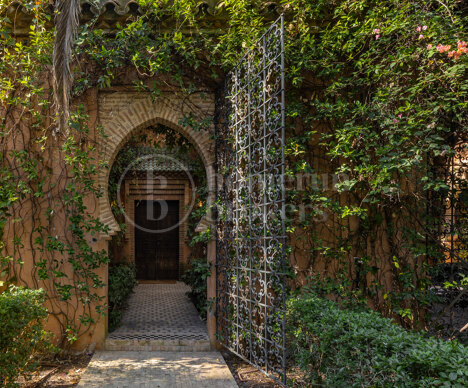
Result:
125,369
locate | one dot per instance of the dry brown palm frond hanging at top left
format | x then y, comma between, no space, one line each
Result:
67,20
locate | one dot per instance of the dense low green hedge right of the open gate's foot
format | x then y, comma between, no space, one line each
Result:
360,348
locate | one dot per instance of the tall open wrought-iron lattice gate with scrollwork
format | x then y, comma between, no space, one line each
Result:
251,197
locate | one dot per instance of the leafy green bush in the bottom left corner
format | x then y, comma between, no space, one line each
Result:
21,332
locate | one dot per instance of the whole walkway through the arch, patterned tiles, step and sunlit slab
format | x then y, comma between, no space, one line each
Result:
161,343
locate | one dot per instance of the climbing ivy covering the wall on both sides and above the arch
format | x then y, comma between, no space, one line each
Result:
377,99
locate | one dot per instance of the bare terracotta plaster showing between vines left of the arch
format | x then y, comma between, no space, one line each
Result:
46,211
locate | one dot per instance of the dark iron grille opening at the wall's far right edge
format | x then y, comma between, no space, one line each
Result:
449,233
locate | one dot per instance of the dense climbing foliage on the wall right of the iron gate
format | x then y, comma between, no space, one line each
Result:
376,106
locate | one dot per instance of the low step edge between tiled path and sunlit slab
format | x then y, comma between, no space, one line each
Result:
179,345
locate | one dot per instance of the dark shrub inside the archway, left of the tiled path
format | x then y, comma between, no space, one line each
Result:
122,280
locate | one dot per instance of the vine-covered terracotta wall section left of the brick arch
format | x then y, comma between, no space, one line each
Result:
48,181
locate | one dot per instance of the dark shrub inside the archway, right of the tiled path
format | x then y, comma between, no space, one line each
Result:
195,276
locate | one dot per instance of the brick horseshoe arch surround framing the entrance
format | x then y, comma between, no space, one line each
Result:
124,116
